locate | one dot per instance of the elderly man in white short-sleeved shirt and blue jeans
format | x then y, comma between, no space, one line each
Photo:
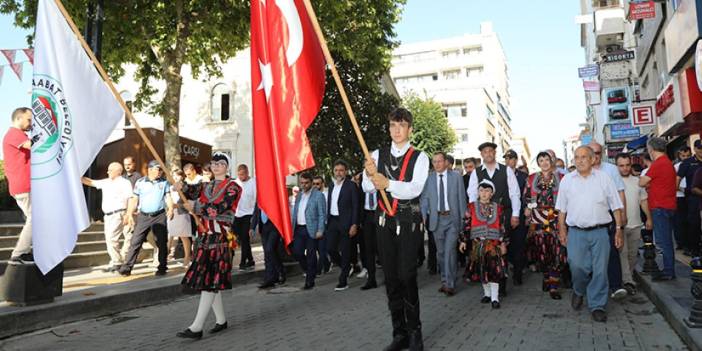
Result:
584,200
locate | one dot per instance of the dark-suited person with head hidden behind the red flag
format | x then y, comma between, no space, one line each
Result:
270,238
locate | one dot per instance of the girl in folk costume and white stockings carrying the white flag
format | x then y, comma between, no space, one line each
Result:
215,205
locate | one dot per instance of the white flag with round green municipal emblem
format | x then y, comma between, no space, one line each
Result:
73,114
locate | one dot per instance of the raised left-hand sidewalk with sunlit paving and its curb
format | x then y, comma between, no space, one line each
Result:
90,293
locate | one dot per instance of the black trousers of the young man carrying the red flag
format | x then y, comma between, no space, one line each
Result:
398,255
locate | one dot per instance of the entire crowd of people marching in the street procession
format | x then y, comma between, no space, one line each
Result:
580,228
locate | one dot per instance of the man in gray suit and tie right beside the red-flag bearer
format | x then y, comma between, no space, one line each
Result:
443,206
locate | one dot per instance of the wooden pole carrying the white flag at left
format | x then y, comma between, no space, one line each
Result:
117,96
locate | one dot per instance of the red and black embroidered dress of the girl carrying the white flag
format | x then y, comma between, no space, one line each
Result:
215,205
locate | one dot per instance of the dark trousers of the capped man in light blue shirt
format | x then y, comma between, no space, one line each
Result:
144,224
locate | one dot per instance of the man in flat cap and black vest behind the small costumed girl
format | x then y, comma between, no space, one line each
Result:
506,188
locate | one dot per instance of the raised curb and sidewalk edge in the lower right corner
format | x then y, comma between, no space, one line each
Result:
662,296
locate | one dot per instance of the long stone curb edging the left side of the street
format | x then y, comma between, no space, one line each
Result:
106,300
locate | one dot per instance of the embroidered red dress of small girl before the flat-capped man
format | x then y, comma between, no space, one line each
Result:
487,263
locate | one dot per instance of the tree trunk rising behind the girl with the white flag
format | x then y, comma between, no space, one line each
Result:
171,116
